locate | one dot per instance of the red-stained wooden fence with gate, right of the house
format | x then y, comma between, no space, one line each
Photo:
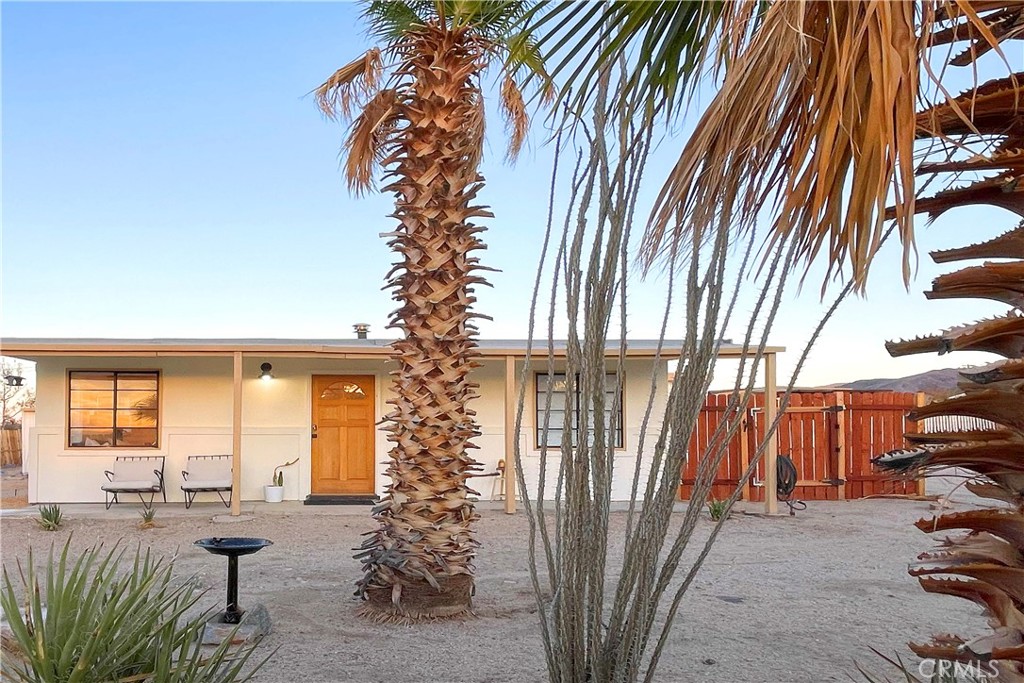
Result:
831,438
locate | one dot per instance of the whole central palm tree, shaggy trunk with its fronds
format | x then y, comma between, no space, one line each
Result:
421,117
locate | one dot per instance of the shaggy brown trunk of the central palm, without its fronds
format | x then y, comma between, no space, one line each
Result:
419,563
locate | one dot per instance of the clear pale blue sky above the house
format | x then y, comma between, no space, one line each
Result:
166,176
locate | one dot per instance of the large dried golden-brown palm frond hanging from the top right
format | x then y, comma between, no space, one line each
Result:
816,120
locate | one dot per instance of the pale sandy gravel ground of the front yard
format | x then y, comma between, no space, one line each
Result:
780,600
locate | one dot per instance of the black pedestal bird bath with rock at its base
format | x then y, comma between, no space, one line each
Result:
245,625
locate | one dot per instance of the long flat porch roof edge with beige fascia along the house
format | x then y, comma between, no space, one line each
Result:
30,349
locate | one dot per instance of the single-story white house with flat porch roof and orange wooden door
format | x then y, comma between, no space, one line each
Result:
268,402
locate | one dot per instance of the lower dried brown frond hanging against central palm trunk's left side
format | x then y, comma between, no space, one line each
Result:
368,140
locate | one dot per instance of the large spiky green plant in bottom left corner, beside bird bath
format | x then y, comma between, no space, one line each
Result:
87,620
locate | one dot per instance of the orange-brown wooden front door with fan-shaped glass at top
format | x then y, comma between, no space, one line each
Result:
344,435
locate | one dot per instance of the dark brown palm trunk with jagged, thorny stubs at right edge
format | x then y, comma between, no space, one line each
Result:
986,563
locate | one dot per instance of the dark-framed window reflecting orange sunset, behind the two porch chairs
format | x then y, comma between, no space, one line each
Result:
113,409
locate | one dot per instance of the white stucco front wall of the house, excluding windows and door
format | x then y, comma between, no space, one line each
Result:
196,419
